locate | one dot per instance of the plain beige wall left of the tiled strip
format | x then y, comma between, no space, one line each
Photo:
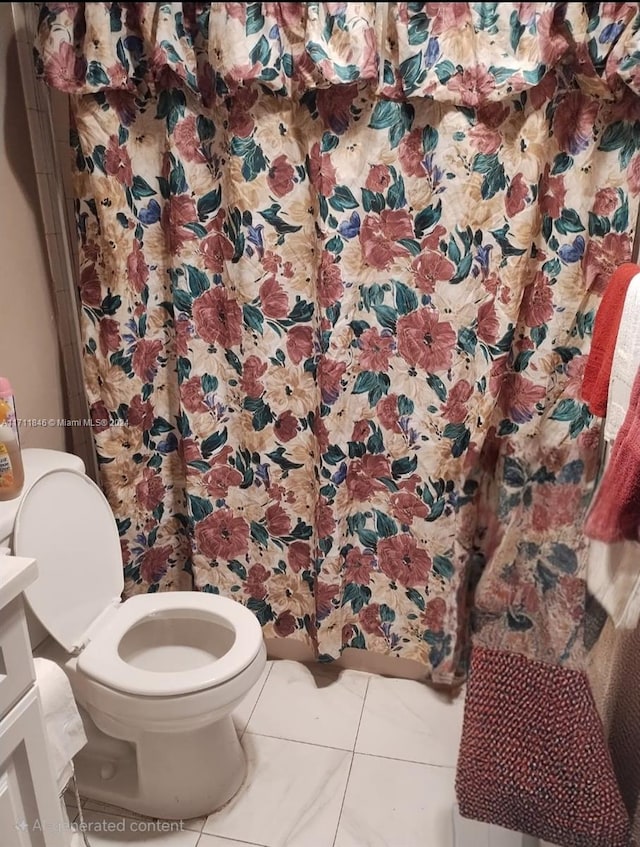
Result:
29,350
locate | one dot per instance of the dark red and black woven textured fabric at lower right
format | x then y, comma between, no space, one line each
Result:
538,765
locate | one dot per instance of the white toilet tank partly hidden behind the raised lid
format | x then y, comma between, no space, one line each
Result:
36,463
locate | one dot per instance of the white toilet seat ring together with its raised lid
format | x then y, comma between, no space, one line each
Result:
65,522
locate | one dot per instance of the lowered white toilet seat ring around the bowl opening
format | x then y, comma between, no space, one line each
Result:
101,661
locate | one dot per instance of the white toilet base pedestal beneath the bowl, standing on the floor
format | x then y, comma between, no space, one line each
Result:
163,775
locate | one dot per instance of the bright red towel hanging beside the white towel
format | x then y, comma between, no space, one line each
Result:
595,384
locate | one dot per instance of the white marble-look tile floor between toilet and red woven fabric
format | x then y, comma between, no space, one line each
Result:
337,758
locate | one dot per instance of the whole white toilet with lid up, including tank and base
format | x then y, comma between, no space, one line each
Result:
156,677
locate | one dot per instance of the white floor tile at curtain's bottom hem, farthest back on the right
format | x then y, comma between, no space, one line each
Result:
409,720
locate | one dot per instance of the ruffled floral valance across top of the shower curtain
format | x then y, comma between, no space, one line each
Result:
465,54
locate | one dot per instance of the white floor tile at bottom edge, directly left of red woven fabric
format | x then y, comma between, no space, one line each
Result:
390,803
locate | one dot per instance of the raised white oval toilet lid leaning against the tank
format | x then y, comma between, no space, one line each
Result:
65,522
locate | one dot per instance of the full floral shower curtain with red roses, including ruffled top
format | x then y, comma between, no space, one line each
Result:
339,267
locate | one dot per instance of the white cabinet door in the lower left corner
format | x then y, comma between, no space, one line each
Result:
30,811
